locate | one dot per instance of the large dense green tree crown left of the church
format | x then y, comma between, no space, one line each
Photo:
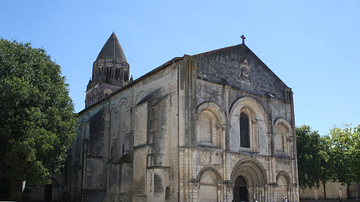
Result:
37,120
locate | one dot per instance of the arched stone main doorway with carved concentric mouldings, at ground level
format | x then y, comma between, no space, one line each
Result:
249,180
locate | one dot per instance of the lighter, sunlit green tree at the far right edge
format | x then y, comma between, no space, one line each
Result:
345,153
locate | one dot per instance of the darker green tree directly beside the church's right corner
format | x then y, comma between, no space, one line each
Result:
313,158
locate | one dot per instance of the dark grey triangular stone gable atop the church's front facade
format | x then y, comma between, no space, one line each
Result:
240,68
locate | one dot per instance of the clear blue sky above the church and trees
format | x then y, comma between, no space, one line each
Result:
313,46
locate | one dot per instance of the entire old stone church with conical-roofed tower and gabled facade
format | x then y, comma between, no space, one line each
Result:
215,126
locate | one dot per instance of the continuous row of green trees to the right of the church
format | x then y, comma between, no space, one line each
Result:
335,156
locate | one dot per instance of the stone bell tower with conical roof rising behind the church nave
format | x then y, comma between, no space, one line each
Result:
110,72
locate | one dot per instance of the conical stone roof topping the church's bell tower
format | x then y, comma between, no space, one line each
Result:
112,49
